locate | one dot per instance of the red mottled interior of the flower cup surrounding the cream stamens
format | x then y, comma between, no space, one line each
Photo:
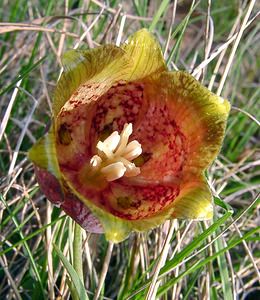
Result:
163,144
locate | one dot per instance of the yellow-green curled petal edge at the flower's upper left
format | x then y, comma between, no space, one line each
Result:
105,65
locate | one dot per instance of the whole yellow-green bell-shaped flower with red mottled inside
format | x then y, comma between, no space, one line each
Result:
130,141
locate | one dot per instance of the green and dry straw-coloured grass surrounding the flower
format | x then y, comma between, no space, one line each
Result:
217,259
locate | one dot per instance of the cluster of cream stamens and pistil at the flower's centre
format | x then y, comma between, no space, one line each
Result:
115,155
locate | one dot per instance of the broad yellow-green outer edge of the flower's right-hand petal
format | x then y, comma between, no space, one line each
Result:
201,116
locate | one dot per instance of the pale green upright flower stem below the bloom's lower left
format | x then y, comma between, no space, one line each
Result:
77,251
